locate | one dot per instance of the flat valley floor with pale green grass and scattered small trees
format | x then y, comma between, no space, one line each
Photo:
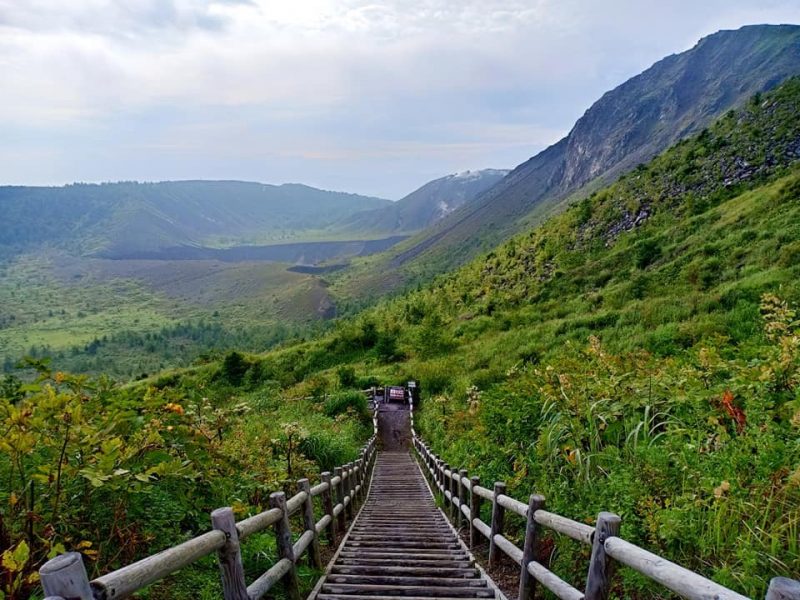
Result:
129,320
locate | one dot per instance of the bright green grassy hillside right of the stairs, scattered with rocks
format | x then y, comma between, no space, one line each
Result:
619,354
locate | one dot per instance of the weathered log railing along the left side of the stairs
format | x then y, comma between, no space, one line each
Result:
65,578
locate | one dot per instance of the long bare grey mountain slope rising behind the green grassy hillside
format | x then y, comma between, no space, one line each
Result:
677,96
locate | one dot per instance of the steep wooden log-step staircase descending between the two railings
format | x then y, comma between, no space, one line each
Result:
401,545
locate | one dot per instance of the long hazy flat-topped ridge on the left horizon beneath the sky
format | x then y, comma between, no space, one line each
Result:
116,219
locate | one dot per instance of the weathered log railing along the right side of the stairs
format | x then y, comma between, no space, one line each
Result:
463,496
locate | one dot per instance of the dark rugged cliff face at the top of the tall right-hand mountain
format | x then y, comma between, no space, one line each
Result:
677,96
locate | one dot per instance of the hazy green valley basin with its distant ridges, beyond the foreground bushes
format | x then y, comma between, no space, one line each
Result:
152,276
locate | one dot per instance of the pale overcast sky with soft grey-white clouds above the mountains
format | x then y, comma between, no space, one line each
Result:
356,95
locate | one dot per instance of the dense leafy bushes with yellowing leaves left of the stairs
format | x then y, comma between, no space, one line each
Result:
121,472
